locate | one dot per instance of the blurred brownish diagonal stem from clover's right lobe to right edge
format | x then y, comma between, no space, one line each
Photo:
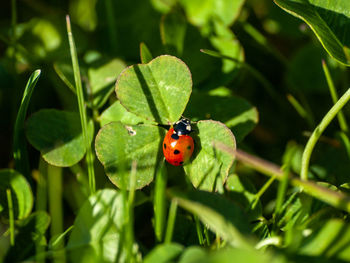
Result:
336,199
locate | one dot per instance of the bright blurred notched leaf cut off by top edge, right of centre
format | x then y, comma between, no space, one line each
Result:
201,12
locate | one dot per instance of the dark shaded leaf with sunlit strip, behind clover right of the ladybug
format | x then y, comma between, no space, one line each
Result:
237,114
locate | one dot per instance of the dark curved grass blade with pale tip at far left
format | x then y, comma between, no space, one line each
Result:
20,154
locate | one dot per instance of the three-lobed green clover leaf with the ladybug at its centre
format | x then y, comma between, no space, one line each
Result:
151,94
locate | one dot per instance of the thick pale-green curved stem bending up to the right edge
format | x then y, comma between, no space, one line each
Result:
318,131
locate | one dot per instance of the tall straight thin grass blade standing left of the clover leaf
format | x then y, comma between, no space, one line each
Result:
82,109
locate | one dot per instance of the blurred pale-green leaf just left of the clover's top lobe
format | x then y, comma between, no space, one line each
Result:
101,80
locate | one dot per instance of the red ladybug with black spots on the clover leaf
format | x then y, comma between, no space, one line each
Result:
178,145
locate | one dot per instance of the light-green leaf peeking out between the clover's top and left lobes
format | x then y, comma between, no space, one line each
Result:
116,112
